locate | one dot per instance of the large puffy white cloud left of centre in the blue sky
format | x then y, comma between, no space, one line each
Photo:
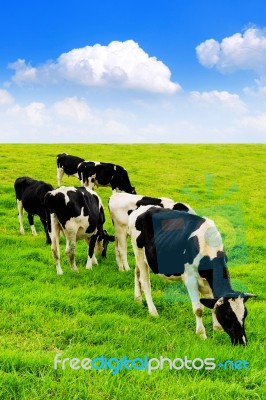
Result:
120,64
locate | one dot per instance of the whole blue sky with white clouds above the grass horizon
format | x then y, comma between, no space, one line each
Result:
133,71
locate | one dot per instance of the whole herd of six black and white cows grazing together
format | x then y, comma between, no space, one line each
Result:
167,237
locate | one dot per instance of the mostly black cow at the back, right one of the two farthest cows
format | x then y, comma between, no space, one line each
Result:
93,173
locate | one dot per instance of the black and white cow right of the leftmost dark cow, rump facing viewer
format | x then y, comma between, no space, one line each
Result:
79,214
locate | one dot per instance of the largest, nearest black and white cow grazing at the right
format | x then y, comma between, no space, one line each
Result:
175,243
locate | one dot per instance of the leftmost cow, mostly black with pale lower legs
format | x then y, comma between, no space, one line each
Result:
30,196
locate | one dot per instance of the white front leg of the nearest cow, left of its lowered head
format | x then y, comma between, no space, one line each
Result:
190,278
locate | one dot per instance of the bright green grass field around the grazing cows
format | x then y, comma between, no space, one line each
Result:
93,314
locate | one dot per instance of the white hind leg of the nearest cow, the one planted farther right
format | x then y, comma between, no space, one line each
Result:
144,280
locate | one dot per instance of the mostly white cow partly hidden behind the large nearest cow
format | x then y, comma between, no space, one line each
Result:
120,205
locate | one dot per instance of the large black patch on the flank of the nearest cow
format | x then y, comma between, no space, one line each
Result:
164,234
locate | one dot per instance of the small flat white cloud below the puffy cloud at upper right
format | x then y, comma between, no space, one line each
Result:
220,98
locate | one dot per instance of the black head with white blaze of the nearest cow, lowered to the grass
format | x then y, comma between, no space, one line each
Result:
231,312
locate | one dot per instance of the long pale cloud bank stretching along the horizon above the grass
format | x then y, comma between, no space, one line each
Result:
73,120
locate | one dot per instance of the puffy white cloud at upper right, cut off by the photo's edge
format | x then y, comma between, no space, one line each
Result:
245,51
